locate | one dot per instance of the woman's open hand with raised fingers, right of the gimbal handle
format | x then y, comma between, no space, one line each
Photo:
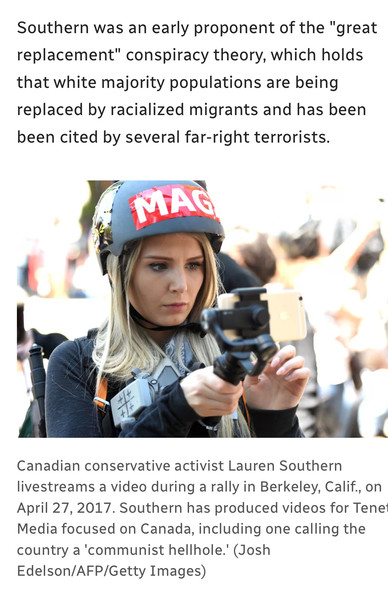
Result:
280,385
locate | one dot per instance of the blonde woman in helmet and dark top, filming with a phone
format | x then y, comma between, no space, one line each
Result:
156,240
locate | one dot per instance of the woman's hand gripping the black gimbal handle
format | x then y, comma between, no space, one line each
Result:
209,395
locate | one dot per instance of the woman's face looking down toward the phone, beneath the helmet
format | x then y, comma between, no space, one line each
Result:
166,278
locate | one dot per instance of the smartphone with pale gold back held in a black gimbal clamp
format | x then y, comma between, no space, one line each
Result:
287,319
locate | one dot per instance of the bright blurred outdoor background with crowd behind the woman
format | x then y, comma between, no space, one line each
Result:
329,242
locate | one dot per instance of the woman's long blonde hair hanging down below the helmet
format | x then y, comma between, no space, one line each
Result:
121,344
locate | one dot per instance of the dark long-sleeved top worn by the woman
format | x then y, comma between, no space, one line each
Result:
71,412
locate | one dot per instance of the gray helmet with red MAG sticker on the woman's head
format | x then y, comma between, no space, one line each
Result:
130,210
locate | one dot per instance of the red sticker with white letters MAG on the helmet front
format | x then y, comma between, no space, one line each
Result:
170,202
